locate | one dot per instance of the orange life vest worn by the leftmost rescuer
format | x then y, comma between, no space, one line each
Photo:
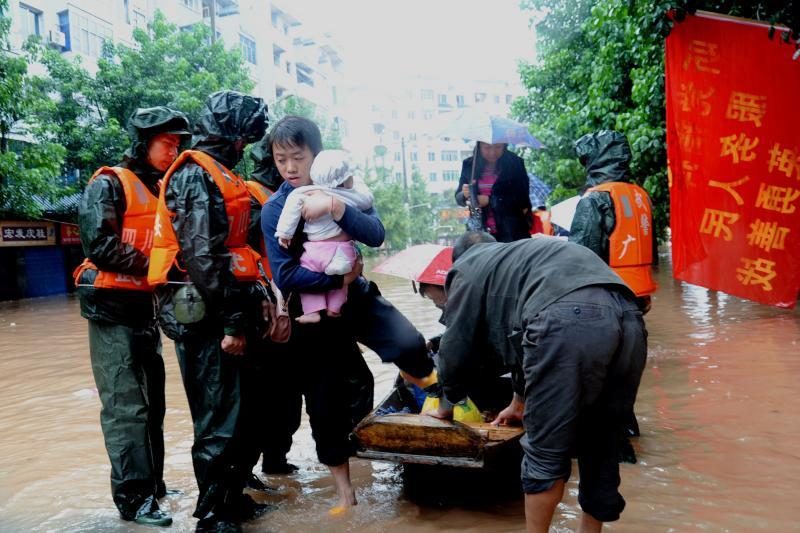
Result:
137,230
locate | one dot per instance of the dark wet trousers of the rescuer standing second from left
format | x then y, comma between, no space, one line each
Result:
220,389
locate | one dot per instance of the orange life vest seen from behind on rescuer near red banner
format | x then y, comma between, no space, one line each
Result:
630,250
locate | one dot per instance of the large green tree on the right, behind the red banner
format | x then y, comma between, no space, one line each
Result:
601,66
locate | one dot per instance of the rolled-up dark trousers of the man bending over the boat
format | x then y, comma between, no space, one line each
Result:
583,358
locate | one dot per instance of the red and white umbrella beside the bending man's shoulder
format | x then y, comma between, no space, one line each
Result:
423,263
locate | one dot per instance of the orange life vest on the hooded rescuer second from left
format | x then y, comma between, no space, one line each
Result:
244,260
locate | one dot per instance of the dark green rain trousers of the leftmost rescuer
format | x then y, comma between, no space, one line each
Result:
129,373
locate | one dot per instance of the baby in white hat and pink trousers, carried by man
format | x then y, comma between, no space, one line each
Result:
328,249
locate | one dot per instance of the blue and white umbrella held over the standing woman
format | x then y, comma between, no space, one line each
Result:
476,125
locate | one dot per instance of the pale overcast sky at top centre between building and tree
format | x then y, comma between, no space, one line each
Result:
380,39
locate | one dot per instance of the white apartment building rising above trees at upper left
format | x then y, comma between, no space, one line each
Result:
283,58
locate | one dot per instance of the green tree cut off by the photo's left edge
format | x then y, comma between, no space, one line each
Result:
29,161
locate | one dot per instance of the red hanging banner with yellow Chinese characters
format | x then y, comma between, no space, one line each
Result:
733,146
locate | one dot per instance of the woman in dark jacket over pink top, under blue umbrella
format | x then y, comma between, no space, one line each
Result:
495,183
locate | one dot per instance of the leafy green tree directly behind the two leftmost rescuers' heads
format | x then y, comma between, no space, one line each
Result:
165,66
